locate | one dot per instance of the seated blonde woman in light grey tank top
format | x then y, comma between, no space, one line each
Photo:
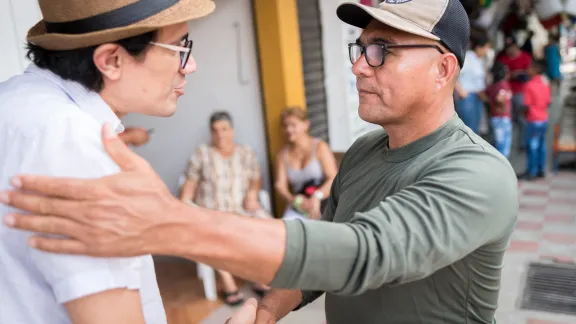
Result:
305,168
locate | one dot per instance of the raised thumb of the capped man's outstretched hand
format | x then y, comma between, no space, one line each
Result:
119,152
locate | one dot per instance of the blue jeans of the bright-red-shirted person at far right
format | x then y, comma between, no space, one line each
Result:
536,147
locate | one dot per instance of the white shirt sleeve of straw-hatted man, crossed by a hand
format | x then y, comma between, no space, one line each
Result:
71,147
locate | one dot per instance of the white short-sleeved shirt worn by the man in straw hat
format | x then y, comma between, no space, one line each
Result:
49,126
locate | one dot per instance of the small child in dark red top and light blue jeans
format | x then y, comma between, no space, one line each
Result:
500,100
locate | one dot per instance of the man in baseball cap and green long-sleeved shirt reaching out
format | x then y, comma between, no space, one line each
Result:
416,224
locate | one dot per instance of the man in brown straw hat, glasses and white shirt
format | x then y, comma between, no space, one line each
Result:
93,62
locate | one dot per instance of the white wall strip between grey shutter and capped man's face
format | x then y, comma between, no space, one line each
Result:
344,124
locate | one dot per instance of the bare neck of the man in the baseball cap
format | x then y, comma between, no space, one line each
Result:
418,127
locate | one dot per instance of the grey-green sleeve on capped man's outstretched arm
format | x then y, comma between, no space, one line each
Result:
467,199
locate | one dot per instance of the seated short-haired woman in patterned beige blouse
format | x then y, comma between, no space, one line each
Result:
225,176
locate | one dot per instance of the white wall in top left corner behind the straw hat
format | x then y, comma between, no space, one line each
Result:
16,17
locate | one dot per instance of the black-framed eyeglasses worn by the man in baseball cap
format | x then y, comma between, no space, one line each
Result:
376,53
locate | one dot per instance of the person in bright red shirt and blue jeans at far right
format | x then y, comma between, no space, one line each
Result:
537,99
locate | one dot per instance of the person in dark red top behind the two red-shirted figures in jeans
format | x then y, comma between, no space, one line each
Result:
518,63
